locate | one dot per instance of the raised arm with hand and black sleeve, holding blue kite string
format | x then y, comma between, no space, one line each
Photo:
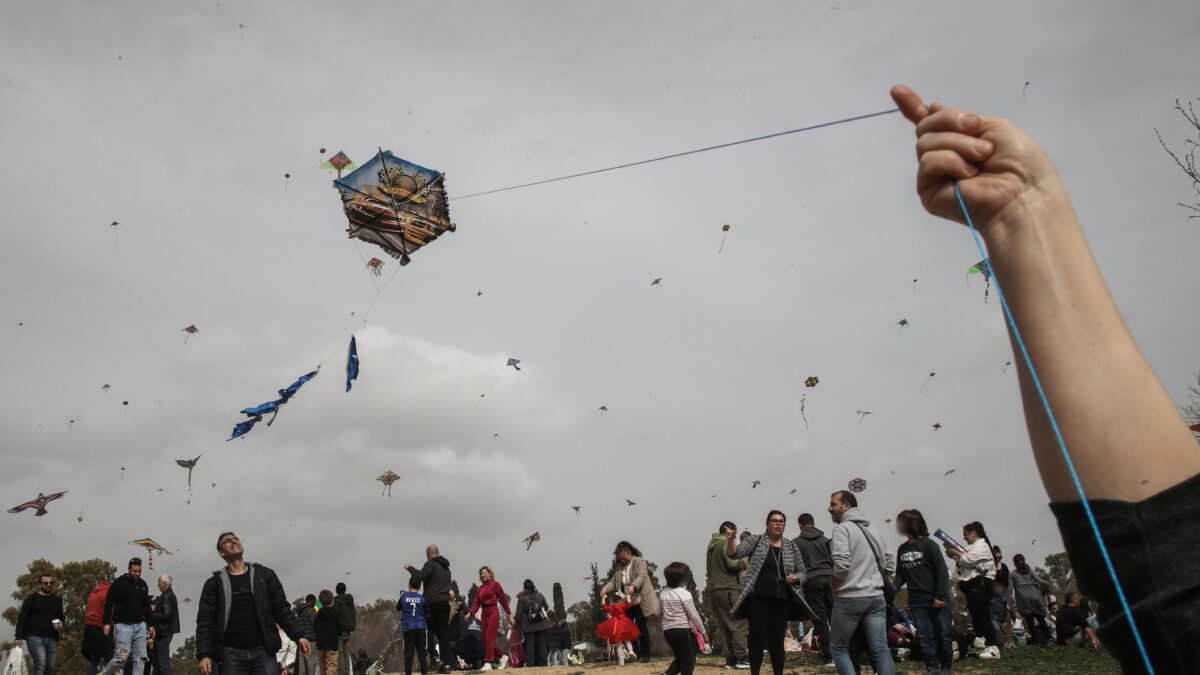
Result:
1132,453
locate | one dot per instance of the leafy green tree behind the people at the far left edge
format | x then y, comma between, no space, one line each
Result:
75,582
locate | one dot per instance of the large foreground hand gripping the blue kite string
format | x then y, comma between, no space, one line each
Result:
999,169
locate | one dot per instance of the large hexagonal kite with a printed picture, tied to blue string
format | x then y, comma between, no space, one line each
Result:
395,205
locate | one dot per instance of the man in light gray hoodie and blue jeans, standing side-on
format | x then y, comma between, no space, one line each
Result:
859,553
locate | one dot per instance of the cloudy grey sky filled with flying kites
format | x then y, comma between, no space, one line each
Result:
181,120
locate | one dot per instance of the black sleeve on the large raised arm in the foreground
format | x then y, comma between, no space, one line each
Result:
1157,558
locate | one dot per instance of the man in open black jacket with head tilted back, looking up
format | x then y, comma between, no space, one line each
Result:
239,610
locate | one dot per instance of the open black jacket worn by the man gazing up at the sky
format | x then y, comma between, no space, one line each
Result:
271,605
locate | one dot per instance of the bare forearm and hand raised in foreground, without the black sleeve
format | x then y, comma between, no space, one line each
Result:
1124,433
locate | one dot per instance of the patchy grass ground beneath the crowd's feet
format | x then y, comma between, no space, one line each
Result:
1017,661
